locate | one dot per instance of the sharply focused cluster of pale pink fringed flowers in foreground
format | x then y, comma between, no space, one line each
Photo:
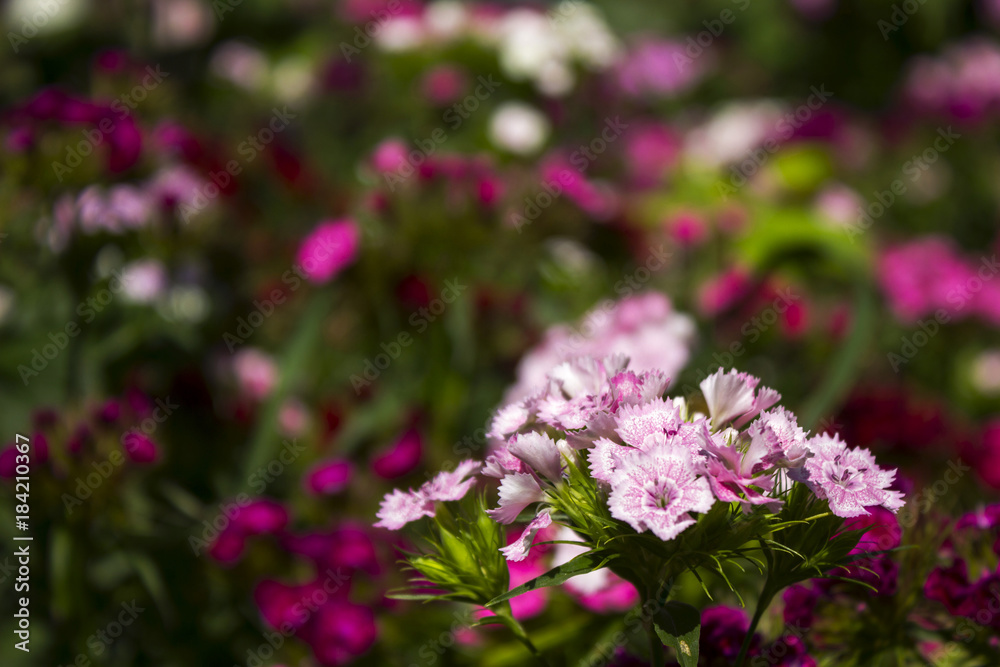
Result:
660,462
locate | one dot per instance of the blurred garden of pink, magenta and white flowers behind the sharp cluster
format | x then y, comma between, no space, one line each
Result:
263,261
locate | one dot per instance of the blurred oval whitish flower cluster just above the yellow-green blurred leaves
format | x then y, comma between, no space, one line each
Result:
733,132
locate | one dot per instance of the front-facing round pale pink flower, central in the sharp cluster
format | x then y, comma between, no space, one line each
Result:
657,490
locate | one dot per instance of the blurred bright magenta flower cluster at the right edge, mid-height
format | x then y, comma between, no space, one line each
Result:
928,275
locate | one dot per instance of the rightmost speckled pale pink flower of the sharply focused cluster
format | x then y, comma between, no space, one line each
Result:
847,478
